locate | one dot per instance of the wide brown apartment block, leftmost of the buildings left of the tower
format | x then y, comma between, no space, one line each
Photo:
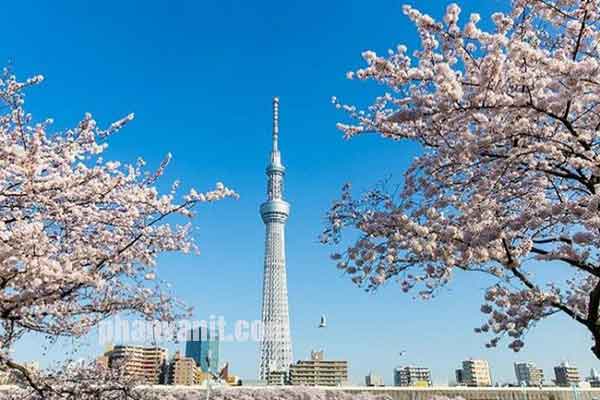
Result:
145,363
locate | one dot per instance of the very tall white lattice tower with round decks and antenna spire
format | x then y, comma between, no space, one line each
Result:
276,344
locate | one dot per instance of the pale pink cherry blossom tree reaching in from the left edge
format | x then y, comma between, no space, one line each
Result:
79,235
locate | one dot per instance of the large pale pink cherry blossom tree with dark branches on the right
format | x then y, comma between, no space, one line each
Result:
508,179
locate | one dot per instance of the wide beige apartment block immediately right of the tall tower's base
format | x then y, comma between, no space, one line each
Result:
319,372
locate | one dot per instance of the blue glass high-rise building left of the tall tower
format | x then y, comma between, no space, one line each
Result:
202,345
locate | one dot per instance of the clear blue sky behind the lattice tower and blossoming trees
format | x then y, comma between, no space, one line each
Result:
199,77
